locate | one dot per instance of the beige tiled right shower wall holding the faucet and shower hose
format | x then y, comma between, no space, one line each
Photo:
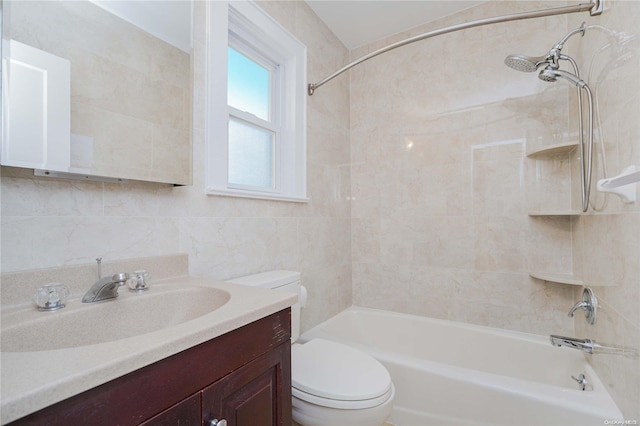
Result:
607,241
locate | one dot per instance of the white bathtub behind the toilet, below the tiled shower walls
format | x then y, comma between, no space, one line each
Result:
449,373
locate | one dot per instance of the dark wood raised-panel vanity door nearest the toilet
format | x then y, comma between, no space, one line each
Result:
258,393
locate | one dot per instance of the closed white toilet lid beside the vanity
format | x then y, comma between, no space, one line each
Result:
327,369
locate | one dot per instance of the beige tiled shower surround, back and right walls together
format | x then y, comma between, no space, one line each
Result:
442,184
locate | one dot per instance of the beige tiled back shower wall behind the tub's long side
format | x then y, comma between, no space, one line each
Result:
439,132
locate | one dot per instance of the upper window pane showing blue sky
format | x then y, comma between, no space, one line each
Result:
248,85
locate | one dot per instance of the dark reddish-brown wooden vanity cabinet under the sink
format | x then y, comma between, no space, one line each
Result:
243,376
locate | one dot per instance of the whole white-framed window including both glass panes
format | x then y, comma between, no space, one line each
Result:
256,135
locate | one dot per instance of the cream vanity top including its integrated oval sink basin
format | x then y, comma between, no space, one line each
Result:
50,356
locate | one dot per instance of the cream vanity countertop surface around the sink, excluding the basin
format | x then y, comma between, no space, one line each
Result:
34,380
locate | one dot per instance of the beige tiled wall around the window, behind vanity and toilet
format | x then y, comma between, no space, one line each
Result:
49,223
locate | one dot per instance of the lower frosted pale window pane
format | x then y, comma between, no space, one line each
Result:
250,155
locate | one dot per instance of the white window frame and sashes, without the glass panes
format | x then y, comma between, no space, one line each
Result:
245,23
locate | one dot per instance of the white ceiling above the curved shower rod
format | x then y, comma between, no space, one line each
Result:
359,22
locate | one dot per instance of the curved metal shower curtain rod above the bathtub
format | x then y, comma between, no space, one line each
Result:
594,8
